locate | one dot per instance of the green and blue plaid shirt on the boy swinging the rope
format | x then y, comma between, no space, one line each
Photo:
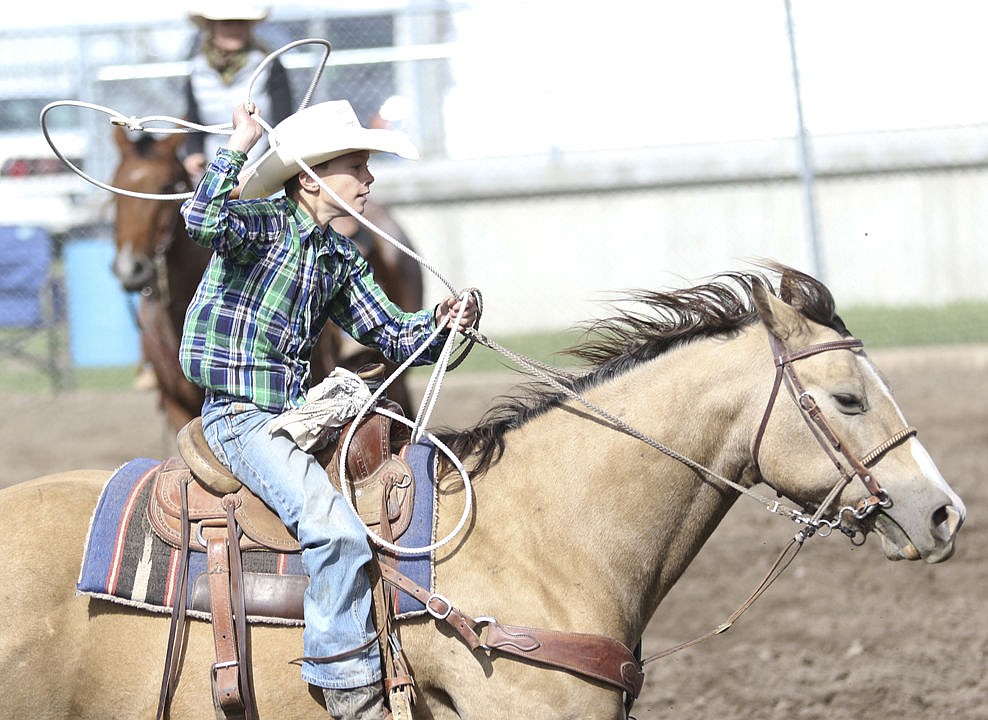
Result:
273,282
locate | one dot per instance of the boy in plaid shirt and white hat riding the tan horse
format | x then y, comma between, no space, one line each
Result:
278,273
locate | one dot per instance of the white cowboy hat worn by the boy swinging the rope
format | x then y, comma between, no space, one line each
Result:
316,134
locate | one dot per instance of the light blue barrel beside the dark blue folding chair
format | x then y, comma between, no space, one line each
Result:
102,328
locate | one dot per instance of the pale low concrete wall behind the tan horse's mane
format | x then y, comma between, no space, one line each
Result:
902,221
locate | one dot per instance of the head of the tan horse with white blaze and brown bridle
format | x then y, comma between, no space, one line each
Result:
833,437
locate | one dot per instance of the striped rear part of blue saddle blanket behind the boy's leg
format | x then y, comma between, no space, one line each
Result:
127,563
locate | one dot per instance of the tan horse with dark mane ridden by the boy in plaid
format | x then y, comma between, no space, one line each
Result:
577,526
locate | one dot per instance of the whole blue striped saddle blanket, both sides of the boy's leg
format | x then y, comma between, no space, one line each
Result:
124,561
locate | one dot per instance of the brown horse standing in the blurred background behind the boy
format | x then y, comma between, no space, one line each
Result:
154,256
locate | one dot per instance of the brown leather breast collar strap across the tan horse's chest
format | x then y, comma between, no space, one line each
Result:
594,656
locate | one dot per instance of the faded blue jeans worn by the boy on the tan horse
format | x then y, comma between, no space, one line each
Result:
334,545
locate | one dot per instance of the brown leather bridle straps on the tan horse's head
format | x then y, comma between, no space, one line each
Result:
824,432
